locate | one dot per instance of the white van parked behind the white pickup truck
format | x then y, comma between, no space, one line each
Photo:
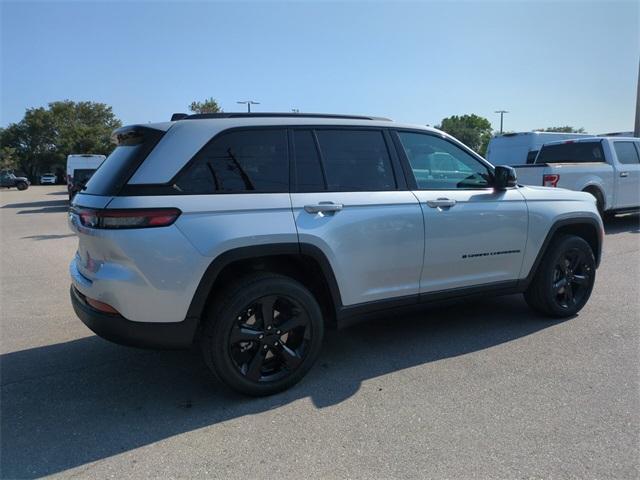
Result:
522,147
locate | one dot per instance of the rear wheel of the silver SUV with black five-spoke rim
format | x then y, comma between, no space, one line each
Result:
257,357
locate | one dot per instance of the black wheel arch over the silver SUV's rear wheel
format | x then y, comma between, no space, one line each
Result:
304,262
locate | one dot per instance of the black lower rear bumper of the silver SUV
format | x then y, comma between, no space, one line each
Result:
117,329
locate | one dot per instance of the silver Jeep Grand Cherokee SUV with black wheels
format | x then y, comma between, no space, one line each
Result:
251,233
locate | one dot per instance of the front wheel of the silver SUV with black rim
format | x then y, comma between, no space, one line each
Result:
564,280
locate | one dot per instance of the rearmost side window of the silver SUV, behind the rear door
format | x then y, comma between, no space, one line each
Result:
253,161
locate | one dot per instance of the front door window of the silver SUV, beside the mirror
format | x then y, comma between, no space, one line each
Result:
438,164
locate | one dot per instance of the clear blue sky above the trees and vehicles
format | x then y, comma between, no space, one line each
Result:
559,63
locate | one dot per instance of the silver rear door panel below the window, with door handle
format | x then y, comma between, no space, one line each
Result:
374,241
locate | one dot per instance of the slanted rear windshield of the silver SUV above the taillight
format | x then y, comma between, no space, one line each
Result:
116,170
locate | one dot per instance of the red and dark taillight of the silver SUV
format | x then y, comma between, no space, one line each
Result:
129,218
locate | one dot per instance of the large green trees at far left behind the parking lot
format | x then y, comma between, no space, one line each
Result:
45,136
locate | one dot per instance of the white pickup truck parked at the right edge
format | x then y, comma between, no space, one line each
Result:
606,167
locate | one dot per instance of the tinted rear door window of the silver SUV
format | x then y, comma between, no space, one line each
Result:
356,160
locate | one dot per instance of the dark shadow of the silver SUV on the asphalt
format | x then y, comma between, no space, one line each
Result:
72,403
